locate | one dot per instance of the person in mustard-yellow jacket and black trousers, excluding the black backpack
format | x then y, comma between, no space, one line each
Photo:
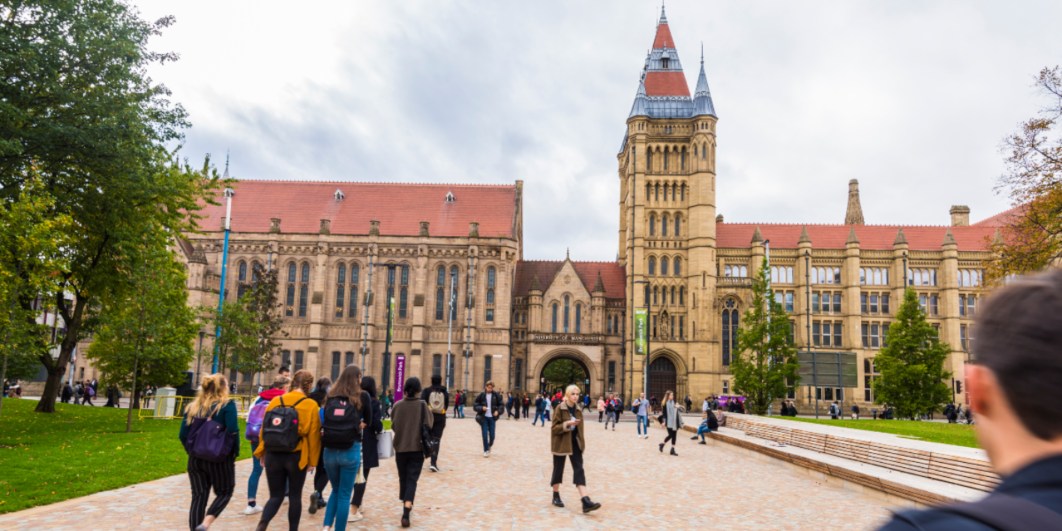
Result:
286,471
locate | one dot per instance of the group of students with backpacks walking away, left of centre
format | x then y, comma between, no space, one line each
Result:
294,430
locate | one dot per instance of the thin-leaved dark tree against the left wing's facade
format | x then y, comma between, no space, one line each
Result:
251,326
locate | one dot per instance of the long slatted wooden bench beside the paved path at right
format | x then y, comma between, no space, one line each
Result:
956,470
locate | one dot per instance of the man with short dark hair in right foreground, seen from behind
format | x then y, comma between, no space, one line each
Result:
1017,368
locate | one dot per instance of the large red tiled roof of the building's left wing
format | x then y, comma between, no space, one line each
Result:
399,208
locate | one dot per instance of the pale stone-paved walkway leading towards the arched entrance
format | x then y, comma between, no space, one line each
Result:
705,487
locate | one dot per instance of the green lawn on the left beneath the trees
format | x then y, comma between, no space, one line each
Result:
80,451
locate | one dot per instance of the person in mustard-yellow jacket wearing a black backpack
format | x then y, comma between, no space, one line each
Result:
297,421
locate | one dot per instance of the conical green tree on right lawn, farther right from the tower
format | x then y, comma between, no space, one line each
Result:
912,364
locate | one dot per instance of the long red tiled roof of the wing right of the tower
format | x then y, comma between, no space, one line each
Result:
871,237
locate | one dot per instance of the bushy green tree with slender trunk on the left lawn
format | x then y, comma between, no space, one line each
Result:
147,330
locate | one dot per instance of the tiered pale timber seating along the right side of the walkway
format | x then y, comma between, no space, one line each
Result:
916,471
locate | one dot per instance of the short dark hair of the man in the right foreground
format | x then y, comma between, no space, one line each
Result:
1020,339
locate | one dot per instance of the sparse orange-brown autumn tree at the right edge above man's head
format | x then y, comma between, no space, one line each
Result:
1033,239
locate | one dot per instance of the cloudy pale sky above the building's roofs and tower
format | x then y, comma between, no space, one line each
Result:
913,98
